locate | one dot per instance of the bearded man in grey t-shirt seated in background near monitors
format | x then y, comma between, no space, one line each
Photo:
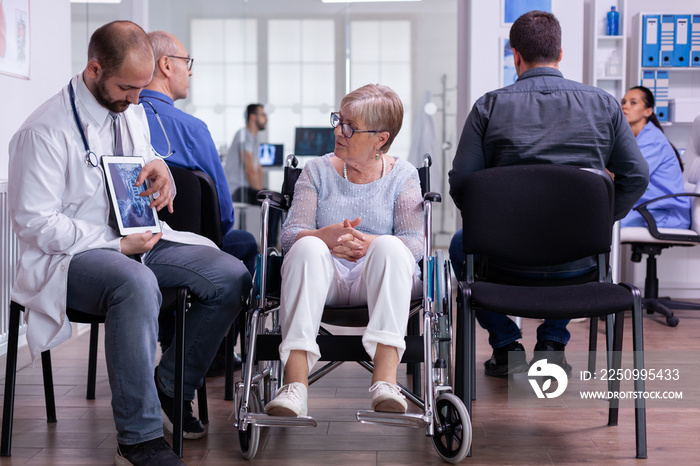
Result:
243,169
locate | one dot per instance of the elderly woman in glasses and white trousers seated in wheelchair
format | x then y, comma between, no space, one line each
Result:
353,235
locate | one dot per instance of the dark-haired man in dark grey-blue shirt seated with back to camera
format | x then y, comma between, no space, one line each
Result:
543,118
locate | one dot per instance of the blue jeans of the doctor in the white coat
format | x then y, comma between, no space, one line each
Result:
106,282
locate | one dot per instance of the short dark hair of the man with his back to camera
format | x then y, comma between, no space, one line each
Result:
536,36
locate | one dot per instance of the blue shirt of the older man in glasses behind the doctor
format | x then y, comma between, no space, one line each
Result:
193,145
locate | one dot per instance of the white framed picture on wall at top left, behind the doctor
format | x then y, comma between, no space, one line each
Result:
14,38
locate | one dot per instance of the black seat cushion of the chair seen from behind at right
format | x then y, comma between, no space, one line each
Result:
552,302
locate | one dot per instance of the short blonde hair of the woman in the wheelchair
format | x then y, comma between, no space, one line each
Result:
379,107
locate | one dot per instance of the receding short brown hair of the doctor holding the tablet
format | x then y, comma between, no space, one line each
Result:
110,44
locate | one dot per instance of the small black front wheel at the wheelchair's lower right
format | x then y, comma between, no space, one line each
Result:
453,432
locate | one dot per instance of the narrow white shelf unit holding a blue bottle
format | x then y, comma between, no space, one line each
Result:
600,72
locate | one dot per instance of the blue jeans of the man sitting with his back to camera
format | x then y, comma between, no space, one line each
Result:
502,330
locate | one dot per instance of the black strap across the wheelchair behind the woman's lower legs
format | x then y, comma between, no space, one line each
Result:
336,348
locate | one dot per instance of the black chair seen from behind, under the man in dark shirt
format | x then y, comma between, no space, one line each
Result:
543,215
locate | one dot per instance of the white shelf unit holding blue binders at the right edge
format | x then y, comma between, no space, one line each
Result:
683,82
